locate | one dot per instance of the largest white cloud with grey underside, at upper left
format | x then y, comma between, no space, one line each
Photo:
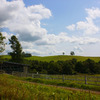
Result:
22,20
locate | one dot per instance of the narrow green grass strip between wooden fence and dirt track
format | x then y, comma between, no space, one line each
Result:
65,83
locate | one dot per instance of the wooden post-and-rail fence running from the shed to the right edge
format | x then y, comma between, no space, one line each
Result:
79,79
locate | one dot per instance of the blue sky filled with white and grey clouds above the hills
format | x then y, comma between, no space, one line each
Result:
50,27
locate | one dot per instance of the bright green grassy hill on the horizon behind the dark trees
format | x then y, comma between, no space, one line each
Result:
57,57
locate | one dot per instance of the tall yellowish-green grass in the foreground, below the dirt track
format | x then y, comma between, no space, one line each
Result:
12,88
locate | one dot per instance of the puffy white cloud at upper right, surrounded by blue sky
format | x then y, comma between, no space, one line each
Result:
88,27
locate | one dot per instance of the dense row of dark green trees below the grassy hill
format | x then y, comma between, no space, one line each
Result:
65,67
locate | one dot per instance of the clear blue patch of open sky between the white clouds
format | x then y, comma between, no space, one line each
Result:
64,12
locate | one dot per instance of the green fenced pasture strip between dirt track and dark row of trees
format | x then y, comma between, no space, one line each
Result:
89,82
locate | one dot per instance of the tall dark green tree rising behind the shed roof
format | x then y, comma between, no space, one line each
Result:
16,54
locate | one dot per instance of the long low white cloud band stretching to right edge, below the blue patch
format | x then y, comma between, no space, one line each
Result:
53,39
